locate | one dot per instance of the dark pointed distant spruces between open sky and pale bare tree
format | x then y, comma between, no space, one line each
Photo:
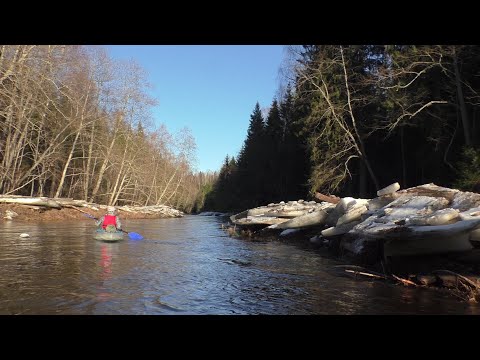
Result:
271,165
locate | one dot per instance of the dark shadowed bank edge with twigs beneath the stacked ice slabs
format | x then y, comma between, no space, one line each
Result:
457,274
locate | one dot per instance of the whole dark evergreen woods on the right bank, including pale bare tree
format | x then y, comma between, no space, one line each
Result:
354,119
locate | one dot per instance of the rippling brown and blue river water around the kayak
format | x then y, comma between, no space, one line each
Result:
186,266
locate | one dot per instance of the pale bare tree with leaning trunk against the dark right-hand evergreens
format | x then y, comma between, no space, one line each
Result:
337,136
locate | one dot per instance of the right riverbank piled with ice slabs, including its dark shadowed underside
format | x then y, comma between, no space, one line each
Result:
426,236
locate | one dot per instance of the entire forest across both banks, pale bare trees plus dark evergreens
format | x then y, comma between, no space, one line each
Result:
75,123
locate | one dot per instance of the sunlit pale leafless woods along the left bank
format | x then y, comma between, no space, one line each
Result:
75,123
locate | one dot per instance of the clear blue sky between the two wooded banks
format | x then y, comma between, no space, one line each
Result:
210,89
